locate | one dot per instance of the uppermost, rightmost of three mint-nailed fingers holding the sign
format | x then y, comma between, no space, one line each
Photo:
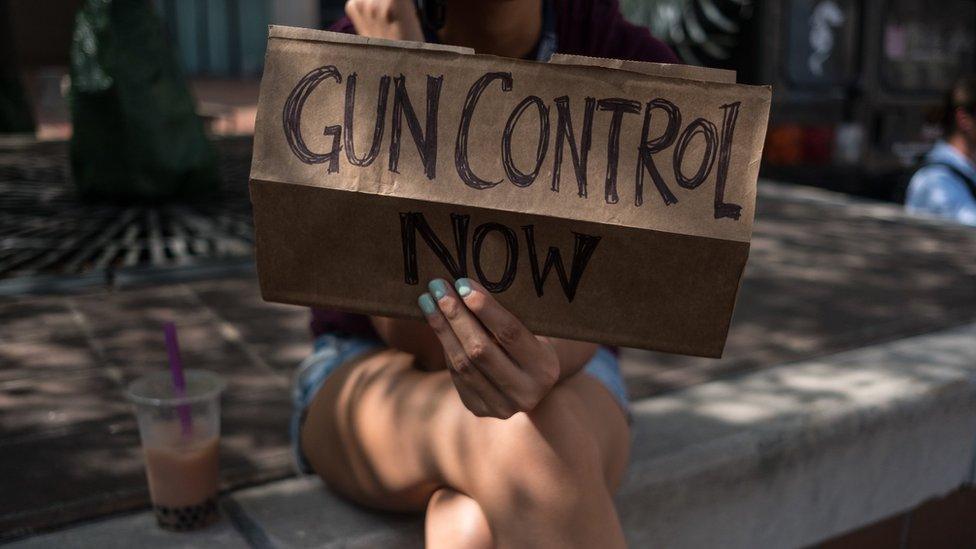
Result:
508,330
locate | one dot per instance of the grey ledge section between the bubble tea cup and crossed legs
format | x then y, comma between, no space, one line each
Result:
301,512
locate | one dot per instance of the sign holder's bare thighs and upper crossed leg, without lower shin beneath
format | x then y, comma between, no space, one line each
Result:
389,436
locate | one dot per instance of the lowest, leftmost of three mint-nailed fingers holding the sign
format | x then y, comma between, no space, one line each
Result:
469,380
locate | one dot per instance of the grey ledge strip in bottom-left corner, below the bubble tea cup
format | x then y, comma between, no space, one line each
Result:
135,531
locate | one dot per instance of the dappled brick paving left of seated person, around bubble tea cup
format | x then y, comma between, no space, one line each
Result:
68,442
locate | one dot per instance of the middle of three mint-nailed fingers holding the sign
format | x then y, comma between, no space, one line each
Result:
479,345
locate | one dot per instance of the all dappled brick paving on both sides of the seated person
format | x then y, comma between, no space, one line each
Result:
825,274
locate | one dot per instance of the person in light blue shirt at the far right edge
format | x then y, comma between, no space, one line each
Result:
945,185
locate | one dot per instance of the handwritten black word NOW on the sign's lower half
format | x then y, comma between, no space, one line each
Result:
413,223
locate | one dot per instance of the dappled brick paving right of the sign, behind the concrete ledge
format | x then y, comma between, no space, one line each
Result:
828,273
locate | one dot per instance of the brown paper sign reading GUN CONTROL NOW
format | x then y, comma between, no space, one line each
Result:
600,204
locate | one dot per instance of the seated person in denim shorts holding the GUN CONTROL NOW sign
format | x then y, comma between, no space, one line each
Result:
504,438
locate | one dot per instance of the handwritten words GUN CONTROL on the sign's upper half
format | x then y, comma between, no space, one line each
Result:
718,143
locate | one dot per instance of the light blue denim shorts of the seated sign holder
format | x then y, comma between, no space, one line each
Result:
332,351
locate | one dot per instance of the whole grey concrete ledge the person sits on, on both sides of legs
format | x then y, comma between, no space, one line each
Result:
783,457
